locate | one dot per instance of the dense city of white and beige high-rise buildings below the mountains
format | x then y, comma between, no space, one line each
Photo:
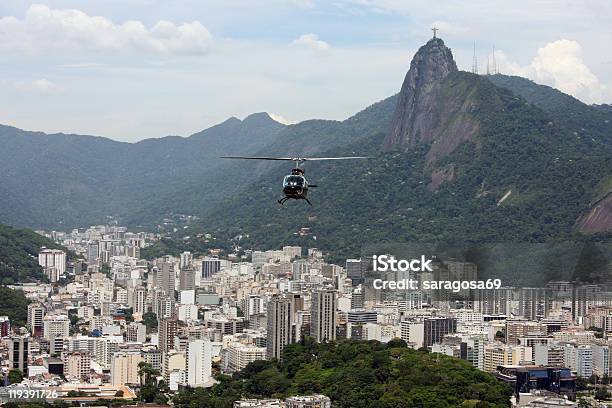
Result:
114,313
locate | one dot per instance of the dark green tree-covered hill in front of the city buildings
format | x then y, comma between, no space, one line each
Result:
357,375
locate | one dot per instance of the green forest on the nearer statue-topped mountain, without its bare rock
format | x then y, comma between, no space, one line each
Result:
552,175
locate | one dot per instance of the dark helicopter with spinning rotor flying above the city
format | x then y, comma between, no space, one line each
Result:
295,185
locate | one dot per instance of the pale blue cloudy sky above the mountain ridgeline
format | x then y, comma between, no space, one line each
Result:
132,69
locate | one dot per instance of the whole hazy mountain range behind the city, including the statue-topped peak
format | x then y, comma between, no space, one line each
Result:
457,156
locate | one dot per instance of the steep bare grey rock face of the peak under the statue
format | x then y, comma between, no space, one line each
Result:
424,112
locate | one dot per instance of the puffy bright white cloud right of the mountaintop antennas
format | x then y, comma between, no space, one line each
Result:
560,65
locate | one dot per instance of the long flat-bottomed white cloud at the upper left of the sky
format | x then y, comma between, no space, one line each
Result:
44,28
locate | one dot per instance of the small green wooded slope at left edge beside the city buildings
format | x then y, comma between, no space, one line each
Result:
19,255
